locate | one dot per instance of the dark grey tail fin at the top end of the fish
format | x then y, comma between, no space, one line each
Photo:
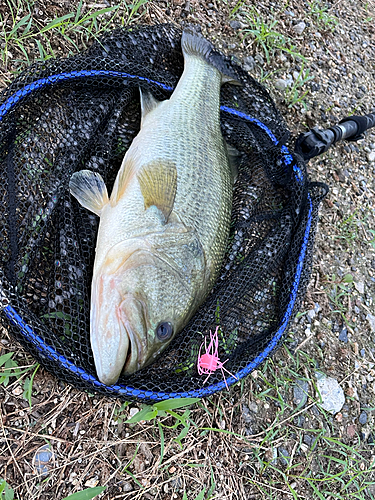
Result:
194,44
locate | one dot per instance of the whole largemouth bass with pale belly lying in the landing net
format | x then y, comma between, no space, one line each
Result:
163,232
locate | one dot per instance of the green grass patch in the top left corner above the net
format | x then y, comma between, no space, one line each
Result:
25,39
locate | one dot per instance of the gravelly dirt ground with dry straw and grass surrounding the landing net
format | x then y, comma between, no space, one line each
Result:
257,440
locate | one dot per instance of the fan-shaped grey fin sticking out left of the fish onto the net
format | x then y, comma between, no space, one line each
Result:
89,189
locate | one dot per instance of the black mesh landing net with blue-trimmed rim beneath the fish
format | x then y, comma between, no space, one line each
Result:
83,112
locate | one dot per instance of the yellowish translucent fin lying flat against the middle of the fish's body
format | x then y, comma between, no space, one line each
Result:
158,183
